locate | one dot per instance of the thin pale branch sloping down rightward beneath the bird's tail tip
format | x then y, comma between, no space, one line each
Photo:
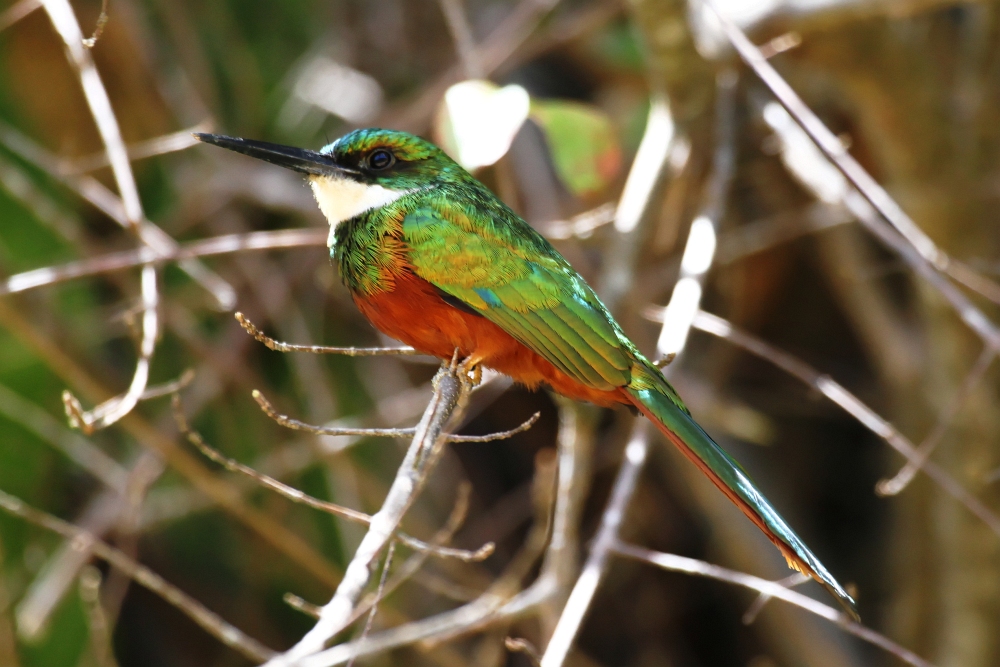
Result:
773,589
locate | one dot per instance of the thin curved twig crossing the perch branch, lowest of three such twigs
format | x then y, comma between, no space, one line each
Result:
295,495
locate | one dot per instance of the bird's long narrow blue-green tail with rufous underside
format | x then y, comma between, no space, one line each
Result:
659,406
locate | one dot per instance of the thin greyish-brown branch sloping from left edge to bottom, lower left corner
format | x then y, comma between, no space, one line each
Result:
208,620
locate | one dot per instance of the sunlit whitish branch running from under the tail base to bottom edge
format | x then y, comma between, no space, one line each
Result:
600,551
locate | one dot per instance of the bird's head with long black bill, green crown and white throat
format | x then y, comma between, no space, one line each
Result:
361,171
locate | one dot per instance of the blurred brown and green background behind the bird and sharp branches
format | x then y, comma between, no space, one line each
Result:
548,100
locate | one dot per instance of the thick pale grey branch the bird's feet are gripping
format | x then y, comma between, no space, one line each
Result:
451,390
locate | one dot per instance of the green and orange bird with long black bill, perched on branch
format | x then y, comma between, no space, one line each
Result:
435,259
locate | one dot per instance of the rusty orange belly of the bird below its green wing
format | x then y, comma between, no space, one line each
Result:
414,313
